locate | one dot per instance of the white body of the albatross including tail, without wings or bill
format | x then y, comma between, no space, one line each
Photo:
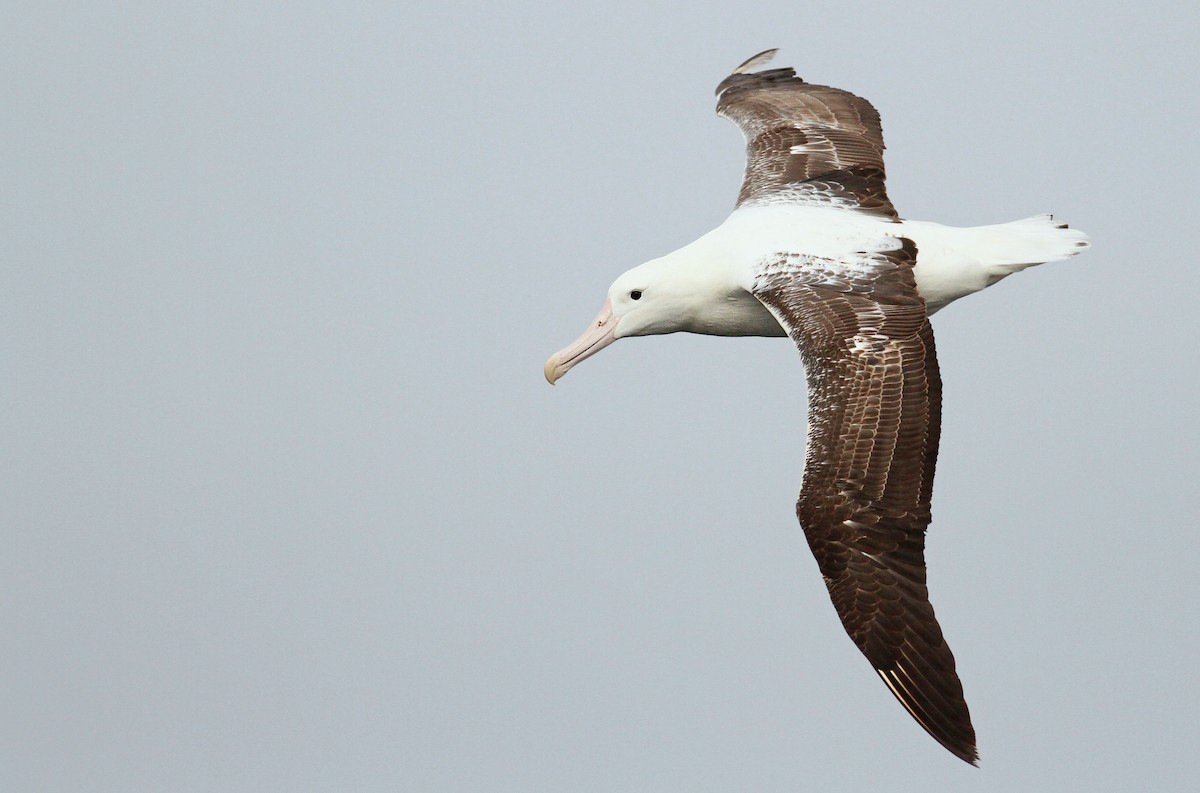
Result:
712,278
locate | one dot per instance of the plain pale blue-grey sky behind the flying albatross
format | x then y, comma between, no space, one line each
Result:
287,504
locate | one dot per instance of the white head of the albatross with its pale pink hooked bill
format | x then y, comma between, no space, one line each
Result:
647,301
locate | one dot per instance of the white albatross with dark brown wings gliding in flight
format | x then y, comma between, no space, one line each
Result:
817,251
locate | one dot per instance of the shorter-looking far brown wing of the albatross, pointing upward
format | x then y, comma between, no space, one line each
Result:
806,145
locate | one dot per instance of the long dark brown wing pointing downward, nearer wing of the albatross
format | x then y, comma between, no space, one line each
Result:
874,424
